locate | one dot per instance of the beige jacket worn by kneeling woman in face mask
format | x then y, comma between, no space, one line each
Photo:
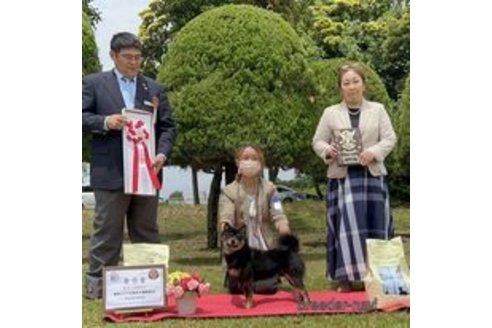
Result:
272,217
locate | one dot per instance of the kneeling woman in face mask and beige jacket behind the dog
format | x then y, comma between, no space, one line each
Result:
253,201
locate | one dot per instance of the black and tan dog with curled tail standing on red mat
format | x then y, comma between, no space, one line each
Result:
249,265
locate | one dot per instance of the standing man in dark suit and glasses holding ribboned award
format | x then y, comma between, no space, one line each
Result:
104,95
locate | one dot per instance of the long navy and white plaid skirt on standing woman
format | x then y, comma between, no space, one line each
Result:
357,209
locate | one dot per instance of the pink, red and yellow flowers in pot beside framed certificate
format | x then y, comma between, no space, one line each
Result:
180,282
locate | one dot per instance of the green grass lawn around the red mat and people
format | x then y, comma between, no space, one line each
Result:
183,228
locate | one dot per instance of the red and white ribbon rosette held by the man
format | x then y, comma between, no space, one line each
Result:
137,134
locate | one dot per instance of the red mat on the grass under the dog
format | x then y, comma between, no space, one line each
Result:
282,303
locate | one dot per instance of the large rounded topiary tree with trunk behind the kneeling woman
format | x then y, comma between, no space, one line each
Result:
237,74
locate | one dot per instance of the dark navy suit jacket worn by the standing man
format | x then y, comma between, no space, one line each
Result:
101,96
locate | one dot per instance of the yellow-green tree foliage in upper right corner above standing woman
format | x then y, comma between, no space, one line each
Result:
375,32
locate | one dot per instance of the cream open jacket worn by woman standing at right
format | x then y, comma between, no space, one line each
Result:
377,132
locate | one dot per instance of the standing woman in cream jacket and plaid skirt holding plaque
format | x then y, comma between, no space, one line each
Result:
353,138
